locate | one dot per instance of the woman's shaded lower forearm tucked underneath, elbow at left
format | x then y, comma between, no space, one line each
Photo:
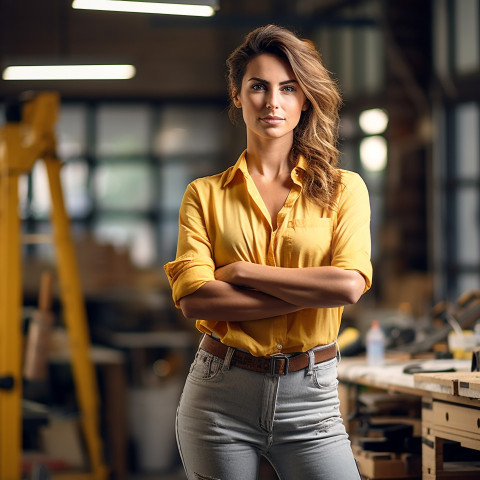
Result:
221,301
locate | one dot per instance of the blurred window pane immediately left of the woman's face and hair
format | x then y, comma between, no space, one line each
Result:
188,130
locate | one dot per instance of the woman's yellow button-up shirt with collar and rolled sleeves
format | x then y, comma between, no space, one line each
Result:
223,219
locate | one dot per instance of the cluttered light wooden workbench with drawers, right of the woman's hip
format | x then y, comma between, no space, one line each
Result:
450,407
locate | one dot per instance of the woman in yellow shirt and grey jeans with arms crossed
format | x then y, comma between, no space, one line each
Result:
269,252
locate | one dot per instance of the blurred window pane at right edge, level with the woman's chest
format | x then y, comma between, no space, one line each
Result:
468,226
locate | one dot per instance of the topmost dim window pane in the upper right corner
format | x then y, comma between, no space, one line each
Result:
467,40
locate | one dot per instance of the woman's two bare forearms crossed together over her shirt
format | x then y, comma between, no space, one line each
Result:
247,291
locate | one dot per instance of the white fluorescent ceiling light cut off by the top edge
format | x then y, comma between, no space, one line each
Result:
195,10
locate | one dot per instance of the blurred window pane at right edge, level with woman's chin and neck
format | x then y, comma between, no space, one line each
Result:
467,125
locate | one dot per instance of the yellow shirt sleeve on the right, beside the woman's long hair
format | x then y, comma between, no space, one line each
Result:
351,243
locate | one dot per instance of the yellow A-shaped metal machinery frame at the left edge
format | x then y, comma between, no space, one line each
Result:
22,142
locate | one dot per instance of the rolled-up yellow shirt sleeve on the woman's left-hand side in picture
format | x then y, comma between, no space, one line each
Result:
193,266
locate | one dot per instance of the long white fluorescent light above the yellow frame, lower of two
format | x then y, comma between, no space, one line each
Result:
69,72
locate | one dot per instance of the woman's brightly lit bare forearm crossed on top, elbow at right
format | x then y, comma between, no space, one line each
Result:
310,287
